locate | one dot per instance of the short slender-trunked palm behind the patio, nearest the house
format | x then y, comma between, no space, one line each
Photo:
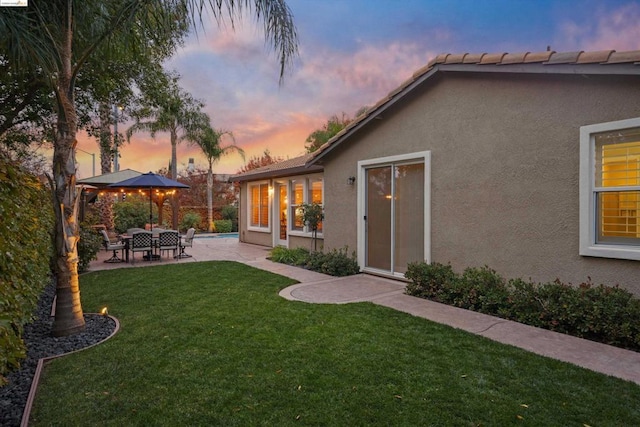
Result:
208,139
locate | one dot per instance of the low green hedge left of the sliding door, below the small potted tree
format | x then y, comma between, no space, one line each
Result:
334,263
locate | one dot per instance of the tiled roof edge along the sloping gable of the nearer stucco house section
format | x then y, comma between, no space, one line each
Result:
596,62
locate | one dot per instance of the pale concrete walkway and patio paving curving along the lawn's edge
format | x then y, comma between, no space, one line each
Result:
323,289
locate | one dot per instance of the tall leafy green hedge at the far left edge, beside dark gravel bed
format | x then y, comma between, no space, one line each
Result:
27,248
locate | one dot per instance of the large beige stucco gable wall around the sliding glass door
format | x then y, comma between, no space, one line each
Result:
504,170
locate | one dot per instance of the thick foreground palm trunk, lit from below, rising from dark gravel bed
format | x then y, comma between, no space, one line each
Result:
69,318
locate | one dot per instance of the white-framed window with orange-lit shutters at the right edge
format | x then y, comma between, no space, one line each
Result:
610,190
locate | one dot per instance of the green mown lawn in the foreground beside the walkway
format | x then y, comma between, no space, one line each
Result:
213,344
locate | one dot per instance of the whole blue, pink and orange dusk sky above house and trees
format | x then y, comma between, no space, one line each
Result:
351,54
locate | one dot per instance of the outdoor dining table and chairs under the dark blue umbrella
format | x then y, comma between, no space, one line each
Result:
152,244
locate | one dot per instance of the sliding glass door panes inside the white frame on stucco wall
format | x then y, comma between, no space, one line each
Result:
394,216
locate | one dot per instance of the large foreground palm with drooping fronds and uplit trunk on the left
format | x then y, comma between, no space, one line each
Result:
59,37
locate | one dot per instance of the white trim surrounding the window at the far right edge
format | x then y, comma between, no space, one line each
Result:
588,217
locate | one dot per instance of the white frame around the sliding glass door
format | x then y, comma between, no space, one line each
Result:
424,156
